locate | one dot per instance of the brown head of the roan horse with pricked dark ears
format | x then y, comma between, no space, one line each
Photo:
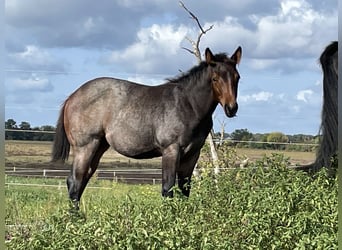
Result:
224,79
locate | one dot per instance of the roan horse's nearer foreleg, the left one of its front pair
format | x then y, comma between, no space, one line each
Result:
170,162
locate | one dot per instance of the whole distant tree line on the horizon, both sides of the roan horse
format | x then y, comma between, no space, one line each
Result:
239,138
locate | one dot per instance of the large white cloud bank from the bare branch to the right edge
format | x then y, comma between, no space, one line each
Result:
294,31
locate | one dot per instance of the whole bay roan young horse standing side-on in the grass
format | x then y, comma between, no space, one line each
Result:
171,120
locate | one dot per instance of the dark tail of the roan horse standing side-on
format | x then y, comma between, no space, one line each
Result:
61,145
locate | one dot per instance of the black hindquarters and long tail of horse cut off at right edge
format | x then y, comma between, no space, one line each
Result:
329,118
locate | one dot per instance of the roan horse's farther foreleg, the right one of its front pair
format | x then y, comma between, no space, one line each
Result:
184,173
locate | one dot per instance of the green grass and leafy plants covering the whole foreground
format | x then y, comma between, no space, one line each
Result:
264,206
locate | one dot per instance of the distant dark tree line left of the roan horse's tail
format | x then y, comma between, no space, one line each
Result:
23,131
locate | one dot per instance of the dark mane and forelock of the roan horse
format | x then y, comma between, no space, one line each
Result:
196,72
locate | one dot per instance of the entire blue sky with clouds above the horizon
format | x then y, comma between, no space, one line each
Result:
53,47
